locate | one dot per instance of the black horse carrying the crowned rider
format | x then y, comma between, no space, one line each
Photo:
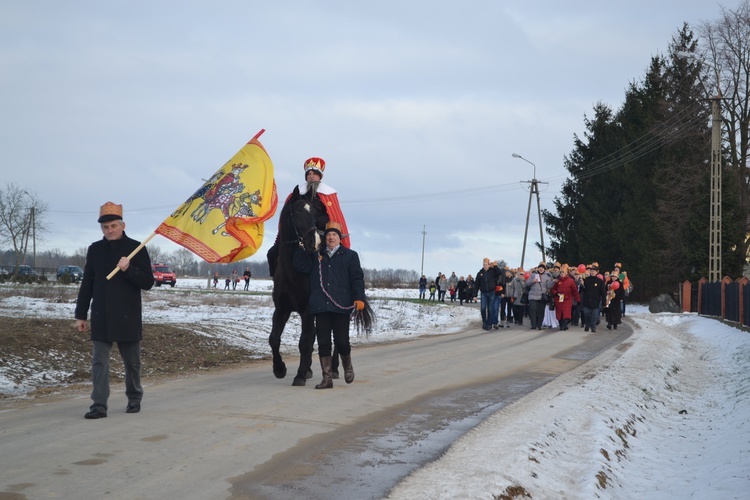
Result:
291,290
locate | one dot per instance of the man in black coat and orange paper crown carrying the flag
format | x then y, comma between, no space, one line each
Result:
116,314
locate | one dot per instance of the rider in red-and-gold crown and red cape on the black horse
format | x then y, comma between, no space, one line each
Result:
326,203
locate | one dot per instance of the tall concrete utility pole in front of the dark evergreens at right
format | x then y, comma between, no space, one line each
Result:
714,248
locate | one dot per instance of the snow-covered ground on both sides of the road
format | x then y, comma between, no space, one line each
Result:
665,415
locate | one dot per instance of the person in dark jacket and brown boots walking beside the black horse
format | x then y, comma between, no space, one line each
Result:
338,269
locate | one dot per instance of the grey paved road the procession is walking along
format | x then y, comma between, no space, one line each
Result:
245,434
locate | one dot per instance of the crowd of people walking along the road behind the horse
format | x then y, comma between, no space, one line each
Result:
552,295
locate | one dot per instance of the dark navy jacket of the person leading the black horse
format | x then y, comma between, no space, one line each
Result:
335,281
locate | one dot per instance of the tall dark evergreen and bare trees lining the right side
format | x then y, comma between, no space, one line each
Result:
639,185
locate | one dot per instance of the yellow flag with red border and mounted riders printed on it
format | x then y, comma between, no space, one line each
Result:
223,220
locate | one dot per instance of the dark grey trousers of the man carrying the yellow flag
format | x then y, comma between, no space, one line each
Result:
130,352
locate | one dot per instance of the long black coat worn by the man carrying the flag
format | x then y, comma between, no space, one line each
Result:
116,311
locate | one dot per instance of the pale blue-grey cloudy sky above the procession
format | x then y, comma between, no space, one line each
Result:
416,106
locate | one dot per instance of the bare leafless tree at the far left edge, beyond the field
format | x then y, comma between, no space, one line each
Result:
22,217
